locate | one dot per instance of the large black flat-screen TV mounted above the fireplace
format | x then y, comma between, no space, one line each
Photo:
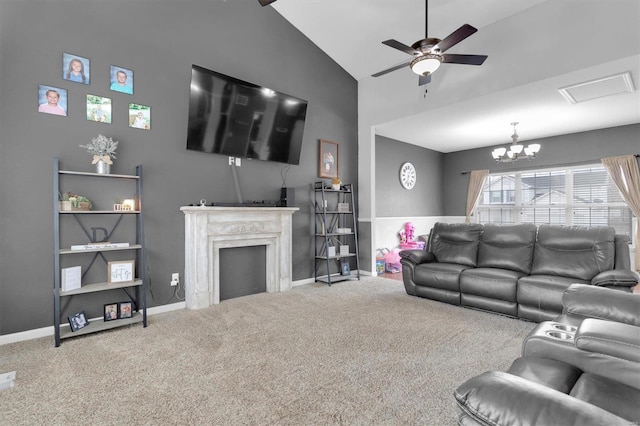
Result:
232,117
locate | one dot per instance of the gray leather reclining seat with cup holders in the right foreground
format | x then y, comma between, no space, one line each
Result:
583,368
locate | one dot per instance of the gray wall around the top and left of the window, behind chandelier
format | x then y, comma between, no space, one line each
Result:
576,148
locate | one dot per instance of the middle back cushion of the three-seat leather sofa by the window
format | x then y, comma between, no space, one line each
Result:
507,247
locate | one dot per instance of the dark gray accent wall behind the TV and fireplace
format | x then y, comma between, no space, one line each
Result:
159,40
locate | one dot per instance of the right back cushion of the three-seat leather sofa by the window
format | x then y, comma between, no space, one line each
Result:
573,251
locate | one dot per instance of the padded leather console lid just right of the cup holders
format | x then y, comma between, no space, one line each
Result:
609,338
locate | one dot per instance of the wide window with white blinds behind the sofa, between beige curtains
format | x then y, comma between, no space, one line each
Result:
582,195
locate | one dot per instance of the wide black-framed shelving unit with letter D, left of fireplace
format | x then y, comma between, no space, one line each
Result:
134,289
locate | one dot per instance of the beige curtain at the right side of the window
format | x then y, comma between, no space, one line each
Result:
625,174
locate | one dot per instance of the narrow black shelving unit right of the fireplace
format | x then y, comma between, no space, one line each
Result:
335,226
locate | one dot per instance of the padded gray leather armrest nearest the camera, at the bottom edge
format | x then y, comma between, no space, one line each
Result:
497,398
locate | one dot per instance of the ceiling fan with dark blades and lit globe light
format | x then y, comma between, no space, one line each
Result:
428,53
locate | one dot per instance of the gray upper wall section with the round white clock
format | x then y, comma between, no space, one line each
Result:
392,200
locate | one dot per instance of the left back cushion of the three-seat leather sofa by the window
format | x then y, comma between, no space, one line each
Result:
456,243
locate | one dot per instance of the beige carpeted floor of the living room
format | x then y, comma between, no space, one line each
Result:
355,353
